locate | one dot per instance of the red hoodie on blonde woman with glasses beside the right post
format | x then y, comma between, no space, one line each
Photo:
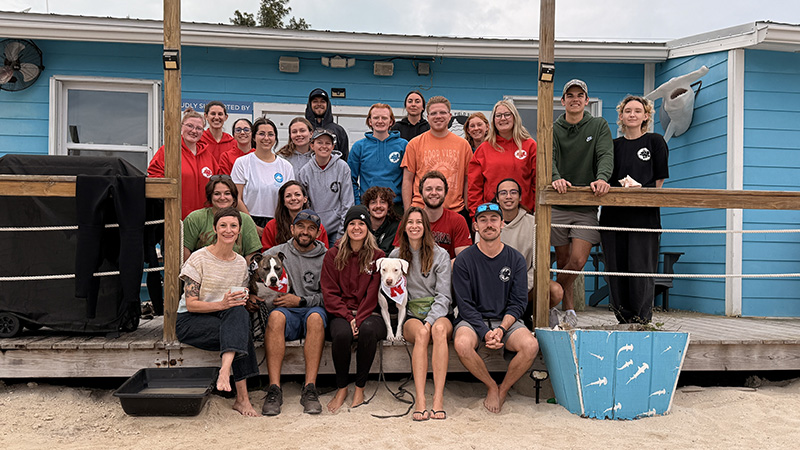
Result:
489,166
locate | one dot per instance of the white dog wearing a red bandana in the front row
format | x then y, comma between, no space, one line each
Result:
393,286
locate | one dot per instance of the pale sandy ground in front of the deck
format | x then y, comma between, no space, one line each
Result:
37,415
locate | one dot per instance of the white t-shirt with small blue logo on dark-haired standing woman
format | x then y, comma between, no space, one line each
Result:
261,182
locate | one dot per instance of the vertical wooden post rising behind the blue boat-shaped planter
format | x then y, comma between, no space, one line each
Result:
544,161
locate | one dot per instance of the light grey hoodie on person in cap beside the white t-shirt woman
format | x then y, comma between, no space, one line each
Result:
330,192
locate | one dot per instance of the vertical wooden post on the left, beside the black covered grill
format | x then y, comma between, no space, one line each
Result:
172,162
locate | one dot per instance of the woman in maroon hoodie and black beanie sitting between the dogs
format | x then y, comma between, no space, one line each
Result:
349,284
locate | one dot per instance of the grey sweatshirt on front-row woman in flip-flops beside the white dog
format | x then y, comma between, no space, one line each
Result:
436,284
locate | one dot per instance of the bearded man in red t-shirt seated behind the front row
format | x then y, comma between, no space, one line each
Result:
449,228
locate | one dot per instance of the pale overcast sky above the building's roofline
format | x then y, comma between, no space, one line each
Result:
610,20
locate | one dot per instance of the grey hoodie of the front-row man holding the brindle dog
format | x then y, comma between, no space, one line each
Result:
304,269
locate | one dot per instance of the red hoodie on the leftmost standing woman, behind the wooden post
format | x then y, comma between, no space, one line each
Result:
195,172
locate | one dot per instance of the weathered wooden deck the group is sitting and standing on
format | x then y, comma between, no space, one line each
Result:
716,343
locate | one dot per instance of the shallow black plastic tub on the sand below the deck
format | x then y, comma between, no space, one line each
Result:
167,392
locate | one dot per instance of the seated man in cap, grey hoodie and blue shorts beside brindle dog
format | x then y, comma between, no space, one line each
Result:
298,315
